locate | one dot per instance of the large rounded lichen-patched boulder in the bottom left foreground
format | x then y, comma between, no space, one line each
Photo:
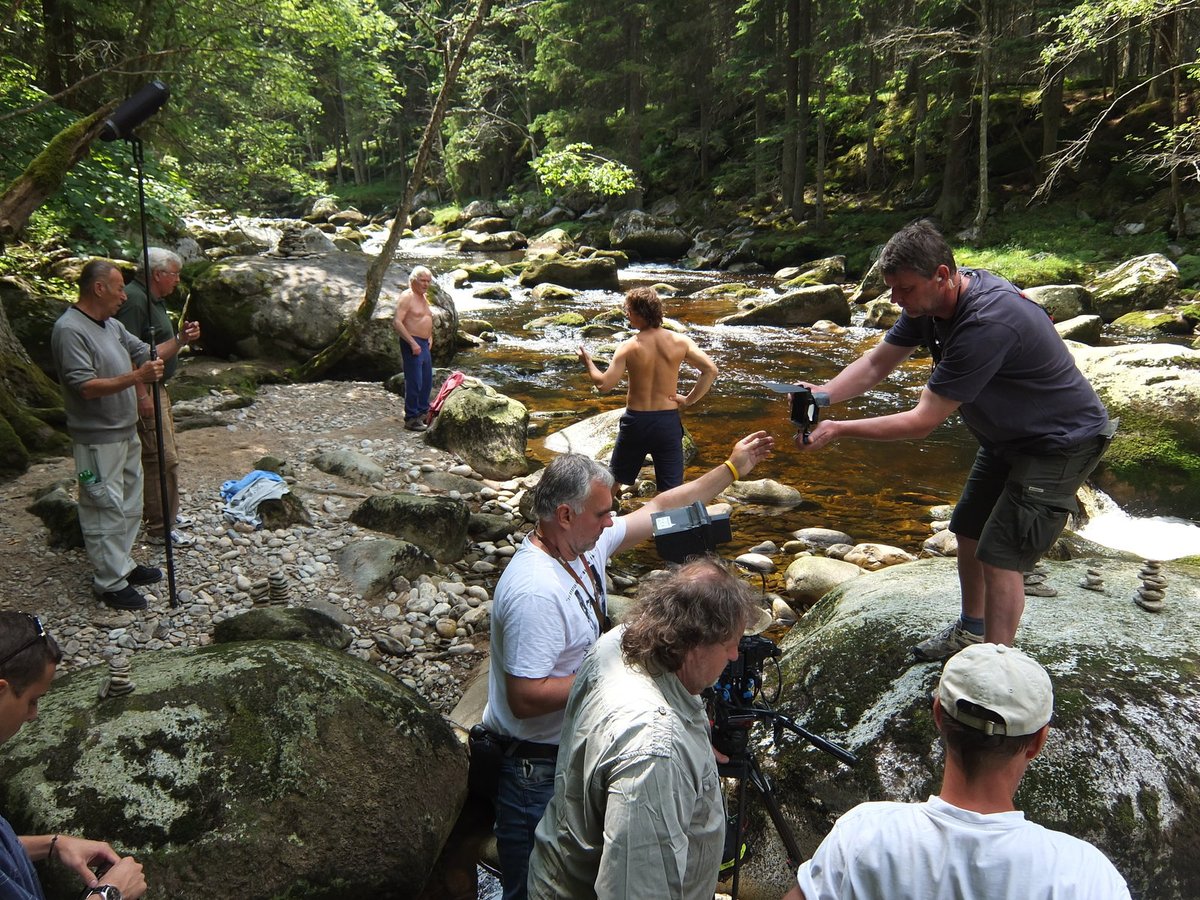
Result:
255,770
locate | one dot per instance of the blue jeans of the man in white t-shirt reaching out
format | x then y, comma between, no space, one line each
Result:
525,793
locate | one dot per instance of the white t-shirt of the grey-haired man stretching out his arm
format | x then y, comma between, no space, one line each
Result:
543,623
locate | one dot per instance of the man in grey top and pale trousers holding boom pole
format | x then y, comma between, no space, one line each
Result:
99,364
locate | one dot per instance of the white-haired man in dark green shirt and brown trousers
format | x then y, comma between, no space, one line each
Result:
140,315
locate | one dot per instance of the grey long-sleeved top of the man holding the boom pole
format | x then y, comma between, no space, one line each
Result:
86,350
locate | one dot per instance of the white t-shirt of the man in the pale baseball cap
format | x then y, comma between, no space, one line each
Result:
935,851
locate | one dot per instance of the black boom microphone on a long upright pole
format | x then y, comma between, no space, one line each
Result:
122,125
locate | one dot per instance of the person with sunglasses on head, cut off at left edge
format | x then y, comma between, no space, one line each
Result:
28,661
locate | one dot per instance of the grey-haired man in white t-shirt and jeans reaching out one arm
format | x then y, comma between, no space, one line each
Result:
548,611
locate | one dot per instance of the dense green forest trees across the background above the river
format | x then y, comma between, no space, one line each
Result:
787,104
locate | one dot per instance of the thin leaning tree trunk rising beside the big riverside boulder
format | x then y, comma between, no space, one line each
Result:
322,362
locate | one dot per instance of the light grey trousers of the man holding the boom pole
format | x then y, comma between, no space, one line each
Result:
111,509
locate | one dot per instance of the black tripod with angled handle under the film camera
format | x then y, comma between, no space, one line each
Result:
736,723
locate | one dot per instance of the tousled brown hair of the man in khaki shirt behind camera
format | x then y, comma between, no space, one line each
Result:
701,603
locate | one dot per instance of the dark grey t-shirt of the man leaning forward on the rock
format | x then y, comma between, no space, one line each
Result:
1003,359
